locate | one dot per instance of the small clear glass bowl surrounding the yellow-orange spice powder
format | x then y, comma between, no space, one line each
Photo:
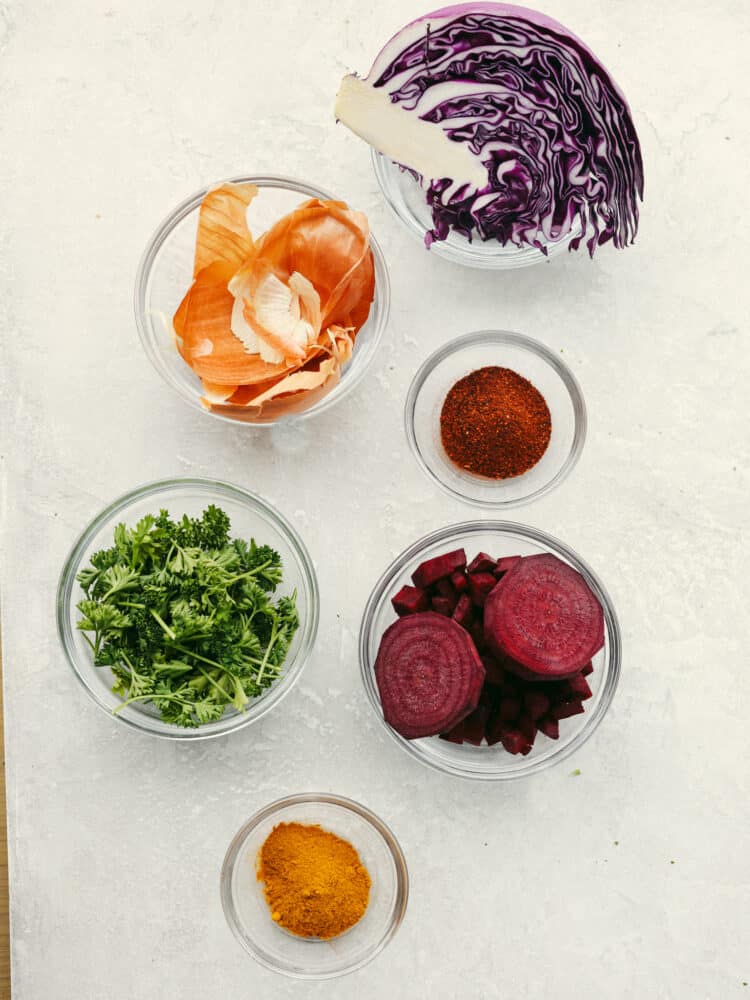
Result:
247,912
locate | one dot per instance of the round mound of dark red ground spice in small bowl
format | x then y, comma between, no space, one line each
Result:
495,423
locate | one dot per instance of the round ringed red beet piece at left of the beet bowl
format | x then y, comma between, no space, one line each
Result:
428,673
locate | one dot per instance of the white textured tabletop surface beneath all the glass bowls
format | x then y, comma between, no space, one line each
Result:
629,880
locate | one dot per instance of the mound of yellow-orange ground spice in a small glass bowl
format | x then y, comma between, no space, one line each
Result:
315,883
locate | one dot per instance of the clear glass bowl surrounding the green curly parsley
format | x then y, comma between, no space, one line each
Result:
251,516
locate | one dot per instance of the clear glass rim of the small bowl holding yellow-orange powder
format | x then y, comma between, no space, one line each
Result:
232,856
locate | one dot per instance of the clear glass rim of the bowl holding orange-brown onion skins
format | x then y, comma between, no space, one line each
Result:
164,230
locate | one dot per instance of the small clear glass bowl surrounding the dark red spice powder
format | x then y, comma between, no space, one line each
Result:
527,357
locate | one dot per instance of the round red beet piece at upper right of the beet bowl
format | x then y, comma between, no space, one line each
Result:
544,615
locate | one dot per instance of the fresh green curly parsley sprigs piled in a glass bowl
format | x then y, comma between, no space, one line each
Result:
184,616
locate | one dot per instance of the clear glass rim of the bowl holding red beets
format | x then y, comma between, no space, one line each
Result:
526,766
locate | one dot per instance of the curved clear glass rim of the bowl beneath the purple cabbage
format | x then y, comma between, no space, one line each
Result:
466,256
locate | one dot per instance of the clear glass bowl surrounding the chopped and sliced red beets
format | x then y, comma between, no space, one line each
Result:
498,538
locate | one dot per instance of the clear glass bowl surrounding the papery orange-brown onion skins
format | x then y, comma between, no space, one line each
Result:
165,273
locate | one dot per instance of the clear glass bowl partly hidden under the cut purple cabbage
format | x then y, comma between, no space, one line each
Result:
407,201
